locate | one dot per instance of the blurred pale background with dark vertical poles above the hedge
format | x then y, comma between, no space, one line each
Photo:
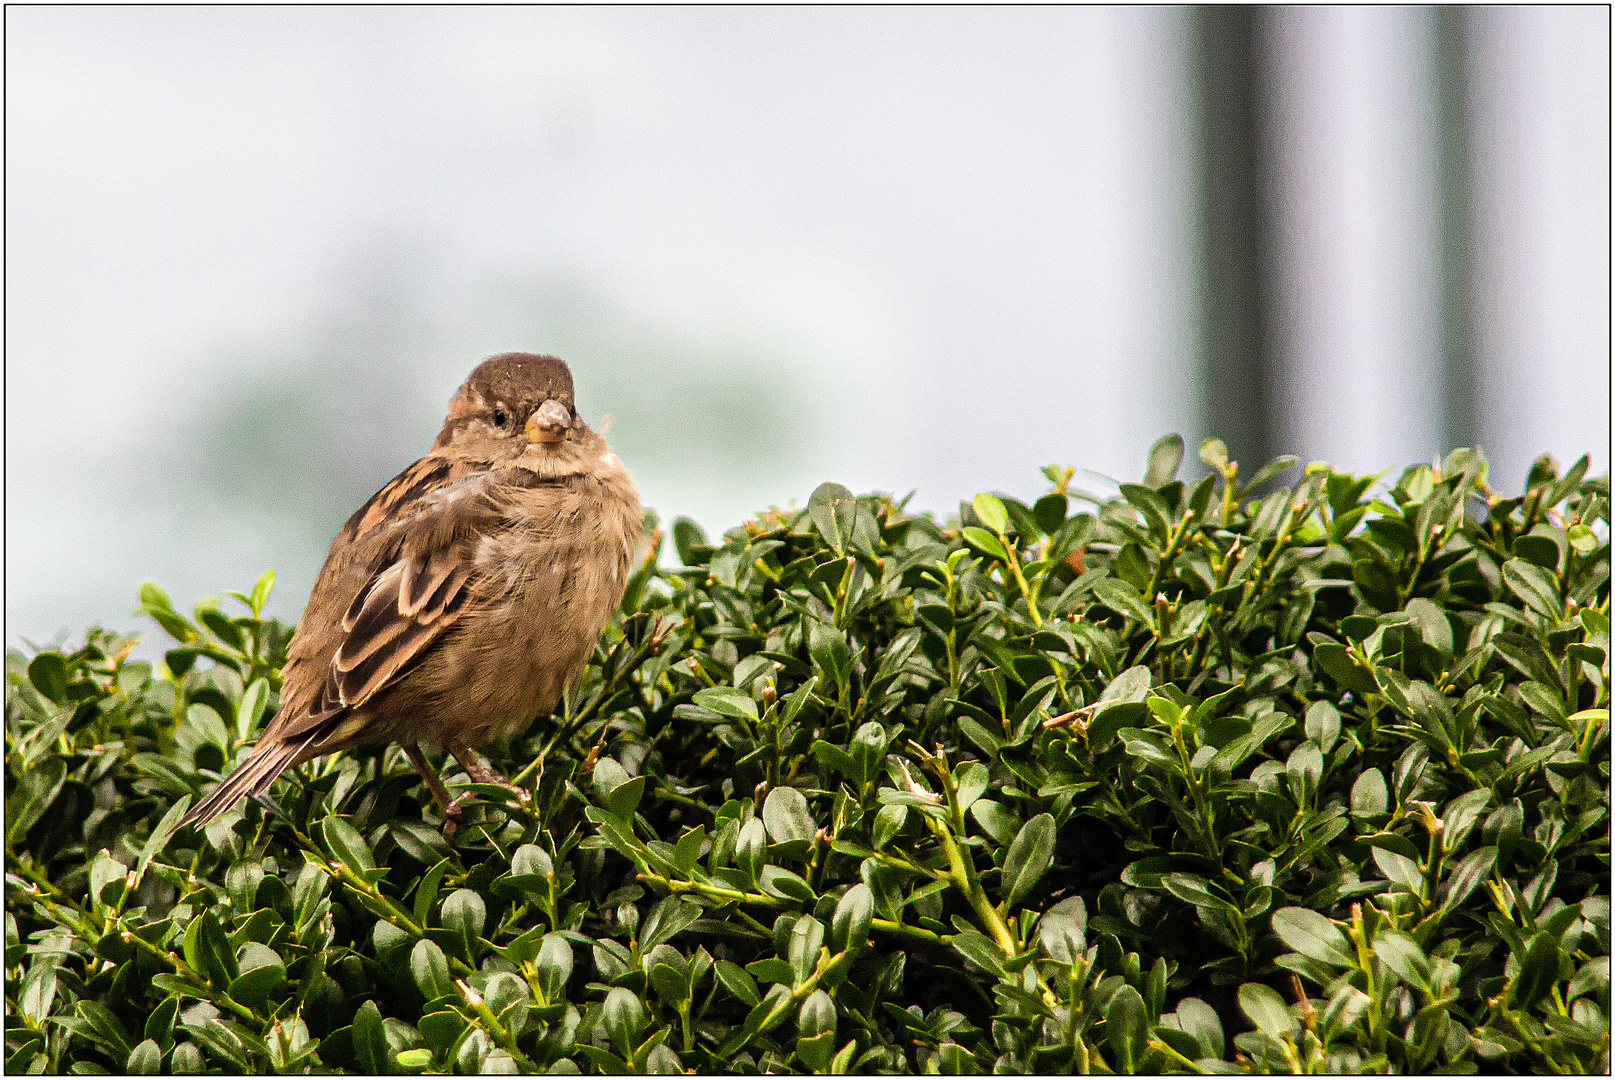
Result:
251,253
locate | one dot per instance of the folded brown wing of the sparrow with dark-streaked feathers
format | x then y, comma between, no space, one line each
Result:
413,553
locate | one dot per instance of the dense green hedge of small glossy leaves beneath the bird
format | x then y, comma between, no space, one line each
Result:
1191,781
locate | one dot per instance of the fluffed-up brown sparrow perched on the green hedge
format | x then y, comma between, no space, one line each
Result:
464,597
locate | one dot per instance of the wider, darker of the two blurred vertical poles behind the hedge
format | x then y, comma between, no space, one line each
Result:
1238,366
